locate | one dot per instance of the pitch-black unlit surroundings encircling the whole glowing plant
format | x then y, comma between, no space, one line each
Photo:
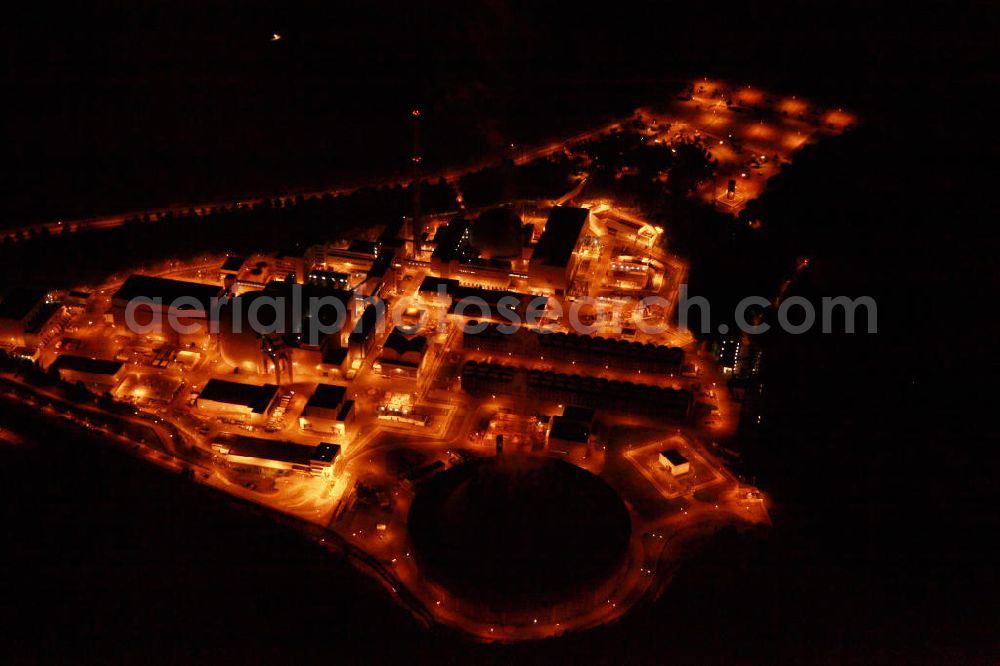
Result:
109,109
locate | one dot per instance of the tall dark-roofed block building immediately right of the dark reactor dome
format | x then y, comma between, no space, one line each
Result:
551,262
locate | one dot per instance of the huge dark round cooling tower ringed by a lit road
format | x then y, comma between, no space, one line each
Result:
518,531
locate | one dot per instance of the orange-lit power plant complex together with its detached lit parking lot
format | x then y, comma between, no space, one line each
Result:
521,469
